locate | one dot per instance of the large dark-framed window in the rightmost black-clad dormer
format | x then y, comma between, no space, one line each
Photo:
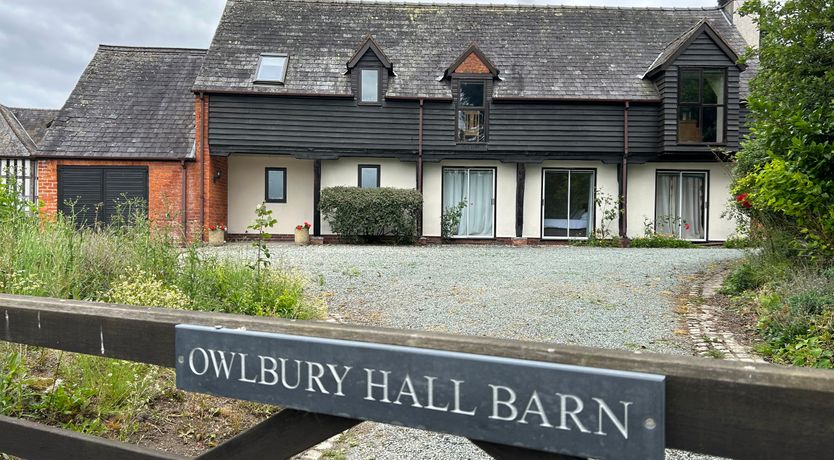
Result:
702,101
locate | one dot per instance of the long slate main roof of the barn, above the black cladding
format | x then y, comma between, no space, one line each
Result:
541,51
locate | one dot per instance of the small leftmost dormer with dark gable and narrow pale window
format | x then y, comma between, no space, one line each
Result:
369,68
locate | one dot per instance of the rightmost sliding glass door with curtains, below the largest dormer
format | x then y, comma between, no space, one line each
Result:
680,204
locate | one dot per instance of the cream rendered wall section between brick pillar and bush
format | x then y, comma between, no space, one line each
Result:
246,191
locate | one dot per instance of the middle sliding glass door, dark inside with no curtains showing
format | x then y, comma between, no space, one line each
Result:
568,203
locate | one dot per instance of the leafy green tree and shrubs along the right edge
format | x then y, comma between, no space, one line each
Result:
784,184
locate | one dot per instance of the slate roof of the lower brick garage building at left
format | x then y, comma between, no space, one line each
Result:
130,103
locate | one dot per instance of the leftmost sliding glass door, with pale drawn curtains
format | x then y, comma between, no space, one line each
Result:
476,188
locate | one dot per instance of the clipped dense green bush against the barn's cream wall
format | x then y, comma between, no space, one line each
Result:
368,214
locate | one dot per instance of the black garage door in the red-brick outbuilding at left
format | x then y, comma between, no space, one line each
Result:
92,192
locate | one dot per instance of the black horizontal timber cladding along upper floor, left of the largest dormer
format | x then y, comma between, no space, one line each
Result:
331,127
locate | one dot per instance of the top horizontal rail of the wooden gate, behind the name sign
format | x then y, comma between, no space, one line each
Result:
730,409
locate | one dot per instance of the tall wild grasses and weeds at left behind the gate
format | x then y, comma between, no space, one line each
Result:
132,261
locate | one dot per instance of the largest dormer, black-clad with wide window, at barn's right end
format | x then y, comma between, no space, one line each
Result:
697,76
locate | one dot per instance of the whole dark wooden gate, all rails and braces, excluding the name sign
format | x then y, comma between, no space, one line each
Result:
730,409
